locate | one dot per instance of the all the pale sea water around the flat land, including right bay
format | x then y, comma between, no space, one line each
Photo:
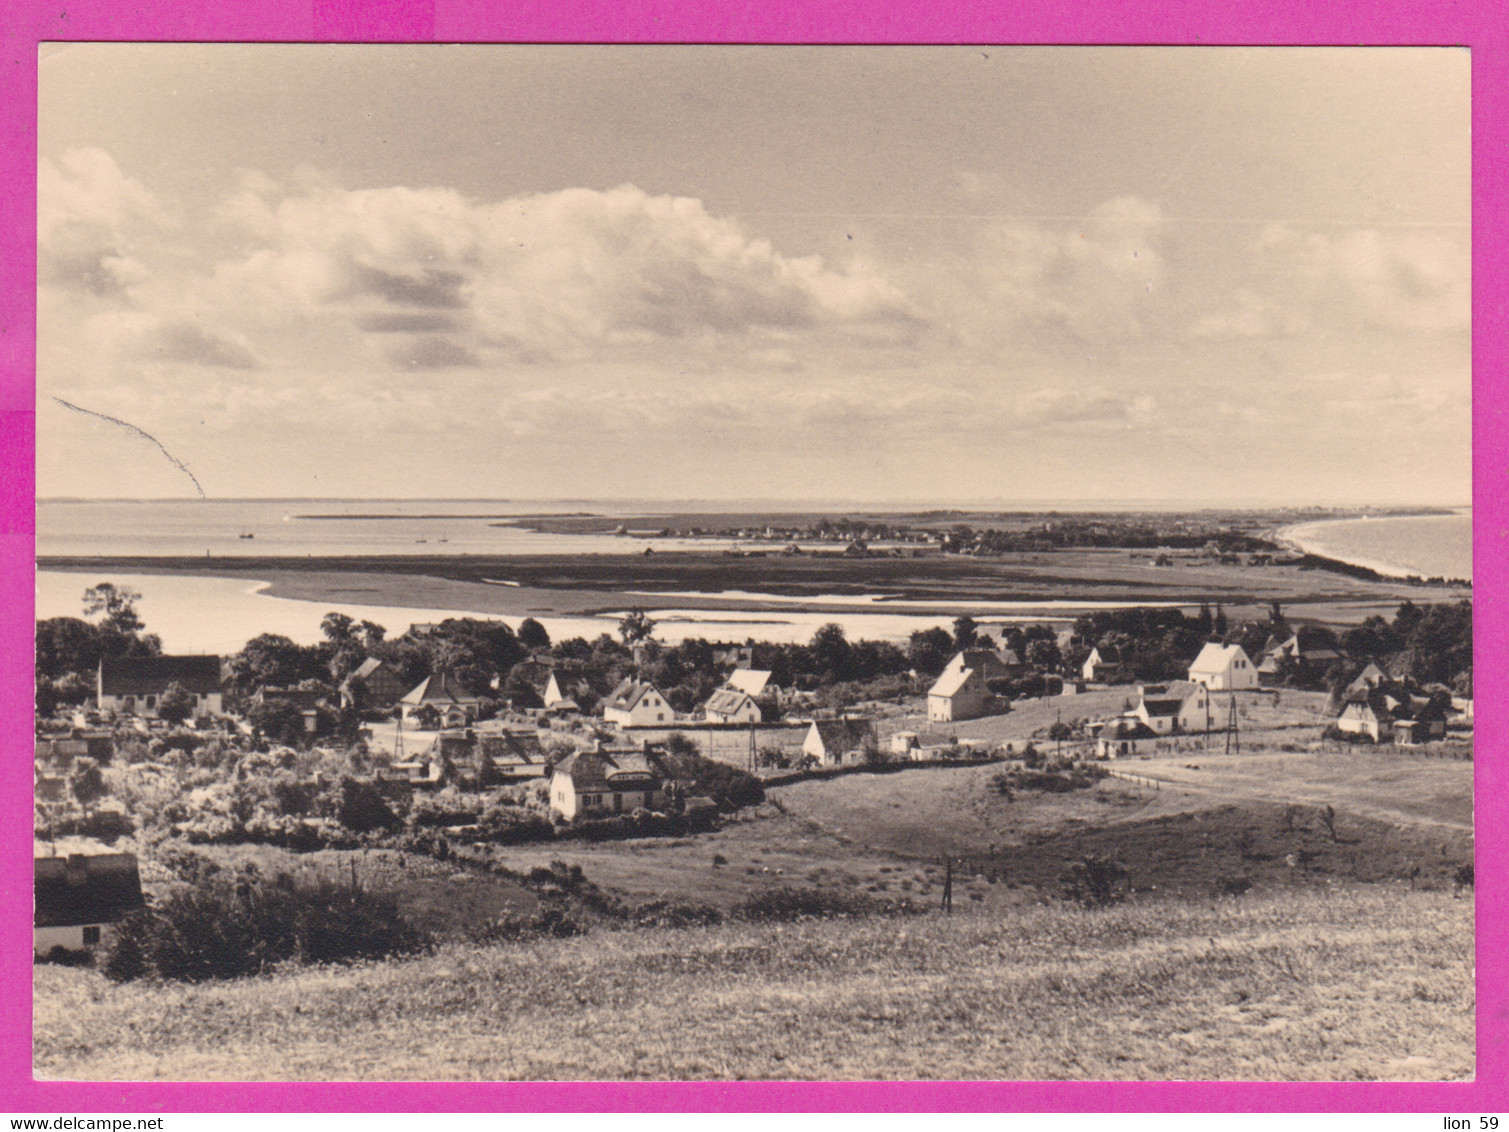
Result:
220,615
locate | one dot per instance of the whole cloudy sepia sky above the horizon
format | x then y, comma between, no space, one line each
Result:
905,274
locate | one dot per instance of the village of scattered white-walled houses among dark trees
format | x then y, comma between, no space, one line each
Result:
514,740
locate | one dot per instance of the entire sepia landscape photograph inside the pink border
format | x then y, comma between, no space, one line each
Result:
754,564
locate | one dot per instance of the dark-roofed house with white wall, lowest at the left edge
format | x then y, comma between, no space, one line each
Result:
81,891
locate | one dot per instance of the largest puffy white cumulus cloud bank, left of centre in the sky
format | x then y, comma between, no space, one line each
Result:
552,275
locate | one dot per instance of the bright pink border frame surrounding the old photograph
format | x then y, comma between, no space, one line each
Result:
1480,25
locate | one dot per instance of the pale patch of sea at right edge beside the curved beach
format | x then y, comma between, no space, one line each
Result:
1437,546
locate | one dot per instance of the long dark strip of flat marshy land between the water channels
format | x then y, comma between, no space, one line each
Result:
604,583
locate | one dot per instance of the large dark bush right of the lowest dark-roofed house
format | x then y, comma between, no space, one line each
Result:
241,924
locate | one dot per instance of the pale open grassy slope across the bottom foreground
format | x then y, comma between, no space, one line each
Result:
1335,985
